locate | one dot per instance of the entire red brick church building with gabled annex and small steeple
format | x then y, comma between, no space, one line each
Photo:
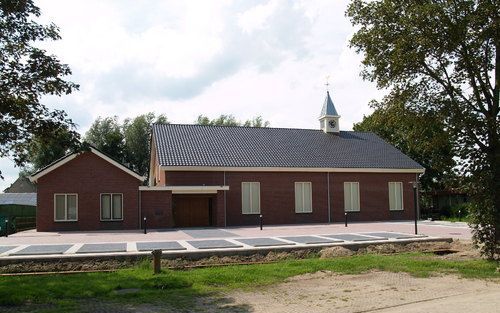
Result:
204,176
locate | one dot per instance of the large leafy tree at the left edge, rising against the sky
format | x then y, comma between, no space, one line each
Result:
27,73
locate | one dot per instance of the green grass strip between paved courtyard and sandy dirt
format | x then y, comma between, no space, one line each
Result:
180,288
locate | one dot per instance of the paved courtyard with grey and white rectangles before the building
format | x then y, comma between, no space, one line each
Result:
32,244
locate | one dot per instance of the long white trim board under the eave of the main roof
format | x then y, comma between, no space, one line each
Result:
291,169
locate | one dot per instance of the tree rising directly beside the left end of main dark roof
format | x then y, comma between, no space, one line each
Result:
137,133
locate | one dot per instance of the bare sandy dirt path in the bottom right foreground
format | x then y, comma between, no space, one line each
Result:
373,292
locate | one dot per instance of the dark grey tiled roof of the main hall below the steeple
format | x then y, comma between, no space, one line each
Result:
223,146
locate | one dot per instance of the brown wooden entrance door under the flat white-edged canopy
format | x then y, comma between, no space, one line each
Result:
192,211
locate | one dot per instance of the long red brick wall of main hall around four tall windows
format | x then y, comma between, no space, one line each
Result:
278,198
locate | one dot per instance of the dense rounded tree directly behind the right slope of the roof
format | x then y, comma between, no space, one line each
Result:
403,127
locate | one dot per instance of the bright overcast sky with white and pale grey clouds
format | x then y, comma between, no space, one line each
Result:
185,58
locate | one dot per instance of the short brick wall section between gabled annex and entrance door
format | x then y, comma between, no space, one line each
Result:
156,206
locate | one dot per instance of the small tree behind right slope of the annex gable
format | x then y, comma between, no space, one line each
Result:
105,134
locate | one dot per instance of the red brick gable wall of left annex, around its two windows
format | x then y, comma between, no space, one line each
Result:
87,175
